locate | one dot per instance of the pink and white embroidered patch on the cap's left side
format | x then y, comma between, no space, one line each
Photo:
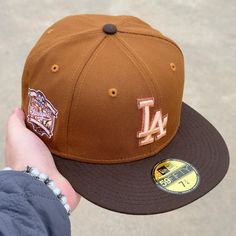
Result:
41,113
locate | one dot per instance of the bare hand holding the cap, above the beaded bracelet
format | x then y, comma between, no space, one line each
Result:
23,147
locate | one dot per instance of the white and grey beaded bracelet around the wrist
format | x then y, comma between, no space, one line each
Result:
35,173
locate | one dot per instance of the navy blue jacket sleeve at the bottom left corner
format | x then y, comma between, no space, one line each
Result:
28,207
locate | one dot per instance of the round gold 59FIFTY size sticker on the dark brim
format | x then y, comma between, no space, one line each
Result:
175,176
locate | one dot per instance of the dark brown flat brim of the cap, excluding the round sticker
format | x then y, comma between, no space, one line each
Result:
129,187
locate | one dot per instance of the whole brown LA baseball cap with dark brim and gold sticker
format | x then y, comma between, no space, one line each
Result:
105,94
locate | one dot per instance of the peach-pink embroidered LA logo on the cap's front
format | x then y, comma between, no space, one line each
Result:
157,128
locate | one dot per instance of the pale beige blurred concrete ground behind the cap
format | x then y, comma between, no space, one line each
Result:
205,30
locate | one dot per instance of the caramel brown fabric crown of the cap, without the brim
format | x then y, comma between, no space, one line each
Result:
114,97
